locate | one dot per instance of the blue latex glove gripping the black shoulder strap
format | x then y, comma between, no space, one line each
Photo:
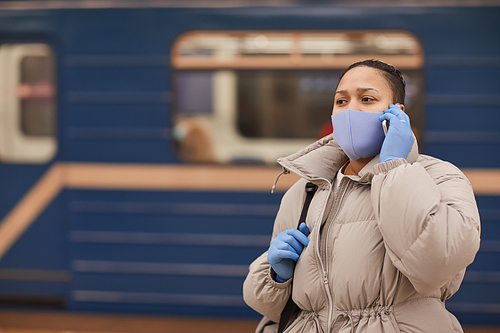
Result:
285,250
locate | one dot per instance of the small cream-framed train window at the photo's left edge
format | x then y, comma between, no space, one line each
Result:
27,103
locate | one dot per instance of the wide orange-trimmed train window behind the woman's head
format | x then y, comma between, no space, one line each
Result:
252,96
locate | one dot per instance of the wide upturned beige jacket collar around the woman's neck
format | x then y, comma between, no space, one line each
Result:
322,159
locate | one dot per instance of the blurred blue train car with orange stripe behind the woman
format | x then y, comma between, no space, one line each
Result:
138,145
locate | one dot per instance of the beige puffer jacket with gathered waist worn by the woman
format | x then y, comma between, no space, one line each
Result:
384,253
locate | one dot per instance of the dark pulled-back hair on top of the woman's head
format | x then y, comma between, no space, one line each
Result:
392,75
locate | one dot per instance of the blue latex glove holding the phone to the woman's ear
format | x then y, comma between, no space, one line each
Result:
399,138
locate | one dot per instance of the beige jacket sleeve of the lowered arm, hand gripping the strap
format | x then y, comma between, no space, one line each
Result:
260,291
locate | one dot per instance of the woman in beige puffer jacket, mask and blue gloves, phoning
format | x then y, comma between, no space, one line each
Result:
389,232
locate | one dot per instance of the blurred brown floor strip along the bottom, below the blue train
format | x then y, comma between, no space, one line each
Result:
69,322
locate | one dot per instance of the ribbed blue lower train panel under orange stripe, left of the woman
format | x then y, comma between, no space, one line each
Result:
173,248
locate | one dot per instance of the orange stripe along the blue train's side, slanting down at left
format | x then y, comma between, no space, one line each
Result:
164,178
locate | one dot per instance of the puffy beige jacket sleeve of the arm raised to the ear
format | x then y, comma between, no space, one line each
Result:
428,218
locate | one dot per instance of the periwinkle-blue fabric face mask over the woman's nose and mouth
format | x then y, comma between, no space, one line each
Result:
359,134
